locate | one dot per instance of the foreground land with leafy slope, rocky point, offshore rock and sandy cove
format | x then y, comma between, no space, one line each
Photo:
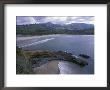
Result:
41,61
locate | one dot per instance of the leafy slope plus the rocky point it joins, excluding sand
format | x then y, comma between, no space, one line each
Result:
26,59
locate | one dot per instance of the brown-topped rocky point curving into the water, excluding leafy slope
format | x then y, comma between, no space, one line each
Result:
42,57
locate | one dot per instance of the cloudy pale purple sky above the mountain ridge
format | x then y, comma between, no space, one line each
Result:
22,20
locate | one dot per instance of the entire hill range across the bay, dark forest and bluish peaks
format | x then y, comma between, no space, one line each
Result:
49,28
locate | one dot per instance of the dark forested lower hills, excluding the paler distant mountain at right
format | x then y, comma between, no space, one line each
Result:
45,29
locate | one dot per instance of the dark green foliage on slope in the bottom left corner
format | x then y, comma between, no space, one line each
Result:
23,65
